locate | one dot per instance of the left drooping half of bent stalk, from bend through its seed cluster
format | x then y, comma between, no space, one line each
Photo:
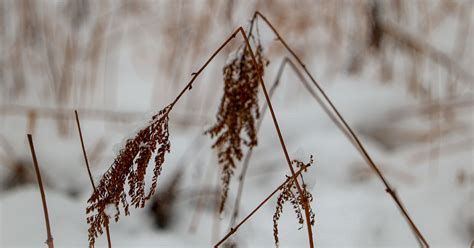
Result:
113,190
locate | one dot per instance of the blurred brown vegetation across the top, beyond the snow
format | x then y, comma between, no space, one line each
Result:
56,56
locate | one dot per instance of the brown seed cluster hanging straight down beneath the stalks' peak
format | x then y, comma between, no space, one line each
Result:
238,111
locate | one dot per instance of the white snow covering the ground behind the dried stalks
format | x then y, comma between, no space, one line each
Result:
351,205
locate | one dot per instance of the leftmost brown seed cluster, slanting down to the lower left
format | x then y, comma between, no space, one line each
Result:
130,167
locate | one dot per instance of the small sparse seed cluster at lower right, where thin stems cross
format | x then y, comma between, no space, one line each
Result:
289,193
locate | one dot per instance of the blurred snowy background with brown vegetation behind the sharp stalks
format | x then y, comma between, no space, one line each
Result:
399,71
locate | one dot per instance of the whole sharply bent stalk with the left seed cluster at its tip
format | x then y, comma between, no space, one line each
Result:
111,187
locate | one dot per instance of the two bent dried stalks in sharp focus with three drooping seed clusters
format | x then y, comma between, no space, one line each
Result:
238,111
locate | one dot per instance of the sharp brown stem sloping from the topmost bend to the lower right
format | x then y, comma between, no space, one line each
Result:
371,163
